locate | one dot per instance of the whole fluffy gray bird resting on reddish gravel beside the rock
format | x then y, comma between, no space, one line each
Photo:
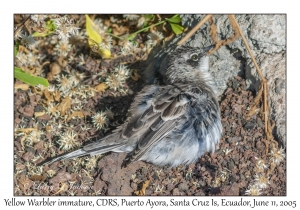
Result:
168,125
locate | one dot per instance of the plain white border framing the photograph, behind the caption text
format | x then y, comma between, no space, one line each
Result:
9,8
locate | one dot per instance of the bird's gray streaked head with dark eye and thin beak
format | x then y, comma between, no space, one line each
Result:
188,64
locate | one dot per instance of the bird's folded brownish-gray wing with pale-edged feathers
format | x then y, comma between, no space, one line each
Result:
158,120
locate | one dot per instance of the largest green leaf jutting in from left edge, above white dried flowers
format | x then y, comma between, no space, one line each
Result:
28,78
